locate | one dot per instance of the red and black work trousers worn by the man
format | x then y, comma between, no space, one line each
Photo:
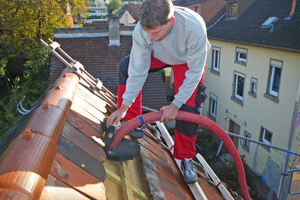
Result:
185,132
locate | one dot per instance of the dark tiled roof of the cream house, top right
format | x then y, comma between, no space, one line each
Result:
248,27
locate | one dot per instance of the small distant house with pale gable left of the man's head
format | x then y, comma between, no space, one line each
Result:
129,14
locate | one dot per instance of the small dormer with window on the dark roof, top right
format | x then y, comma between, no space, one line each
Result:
236,8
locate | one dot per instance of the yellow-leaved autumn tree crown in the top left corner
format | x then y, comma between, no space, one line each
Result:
24,23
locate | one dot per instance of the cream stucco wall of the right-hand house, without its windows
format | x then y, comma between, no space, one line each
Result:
256,112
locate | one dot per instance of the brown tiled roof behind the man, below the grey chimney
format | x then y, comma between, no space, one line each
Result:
100,60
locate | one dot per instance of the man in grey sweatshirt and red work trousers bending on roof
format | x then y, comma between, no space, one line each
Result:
166,36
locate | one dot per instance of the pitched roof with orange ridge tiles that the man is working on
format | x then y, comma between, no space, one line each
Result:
57,153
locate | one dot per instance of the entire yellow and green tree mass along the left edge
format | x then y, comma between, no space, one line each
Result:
23,24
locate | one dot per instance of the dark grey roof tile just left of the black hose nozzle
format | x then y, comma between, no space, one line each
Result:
83,142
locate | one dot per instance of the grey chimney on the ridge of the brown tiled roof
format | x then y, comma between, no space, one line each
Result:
114,31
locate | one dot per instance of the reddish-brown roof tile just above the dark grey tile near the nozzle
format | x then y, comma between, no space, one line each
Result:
88,130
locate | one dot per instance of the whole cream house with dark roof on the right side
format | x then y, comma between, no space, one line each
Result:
252,81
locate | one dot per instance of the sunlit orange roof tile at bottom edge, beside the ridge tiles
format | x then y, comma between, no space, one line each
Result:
55,189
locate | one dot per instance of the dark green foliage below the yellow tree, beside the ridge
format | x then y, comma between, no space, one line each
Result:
32,85
